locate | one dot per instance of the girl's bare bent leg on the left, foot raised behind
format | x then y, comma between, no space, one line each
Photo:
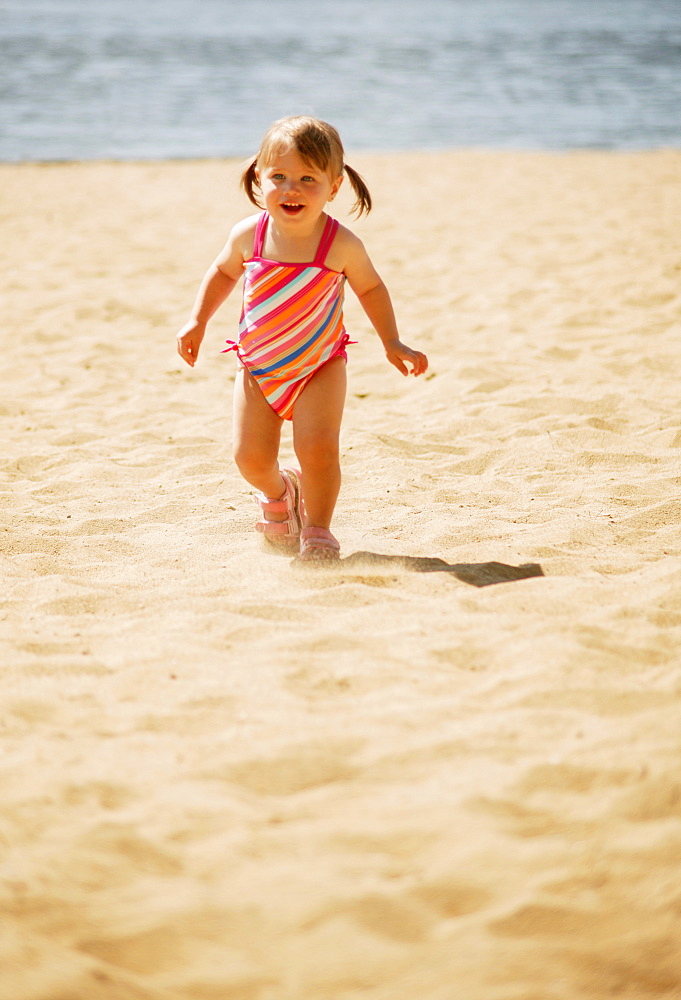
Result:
257,432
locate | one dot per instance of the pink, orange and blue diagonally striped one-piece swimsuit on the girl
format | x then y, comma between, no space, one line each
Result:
291,322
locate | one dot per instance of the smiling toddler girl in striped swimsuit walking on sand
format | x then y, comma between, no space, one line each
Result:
291,346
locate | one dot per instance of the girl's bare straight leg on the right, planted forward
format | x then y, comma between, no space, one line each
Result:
316,430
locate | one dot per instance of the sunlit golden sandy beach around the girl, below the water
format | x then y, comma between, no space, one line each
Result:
447,769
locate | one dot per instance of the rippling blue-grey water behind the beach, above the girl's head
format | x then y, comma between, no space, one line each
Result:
129,79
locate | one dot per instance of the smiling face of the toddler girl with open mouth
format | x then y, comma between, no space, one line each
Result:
294,192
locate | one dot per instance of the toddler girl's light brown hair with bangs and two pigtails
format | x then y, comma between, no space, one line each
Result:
316,142
